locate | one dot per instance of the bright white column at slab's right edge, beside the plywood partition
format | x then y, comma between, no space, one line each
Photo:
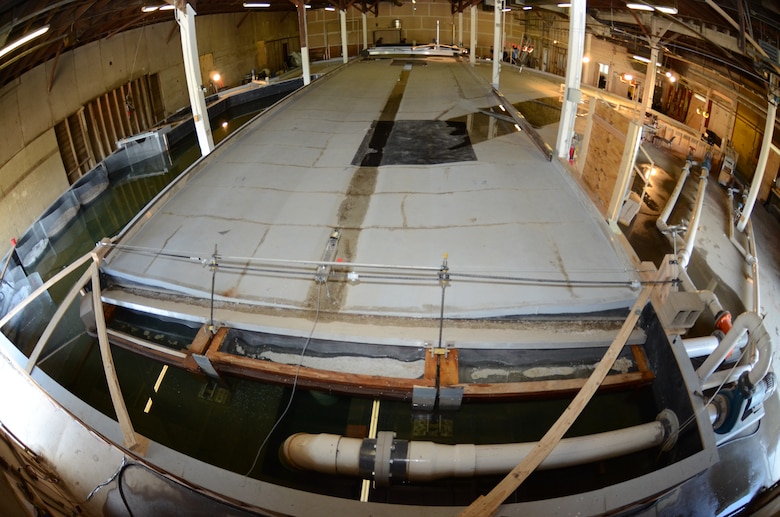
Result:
573,94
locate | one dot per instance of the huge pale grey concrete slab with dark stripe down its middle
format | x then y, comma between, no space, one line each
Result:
270,197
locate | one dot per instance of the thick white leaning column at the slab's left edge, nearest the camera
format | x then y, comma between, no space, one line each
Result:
189,46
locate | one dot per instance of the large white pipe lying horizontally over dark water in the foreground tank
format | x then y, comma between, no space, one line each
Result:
426,461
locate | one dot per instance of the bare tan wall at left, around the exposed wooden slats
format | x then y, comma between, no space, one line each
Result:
32,174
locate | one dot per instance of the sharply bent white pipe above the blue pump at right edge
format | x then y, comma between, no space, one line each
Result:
759,338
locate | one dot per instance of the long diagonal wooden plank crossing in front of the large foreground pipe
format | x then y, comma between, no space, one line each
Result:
488,505
